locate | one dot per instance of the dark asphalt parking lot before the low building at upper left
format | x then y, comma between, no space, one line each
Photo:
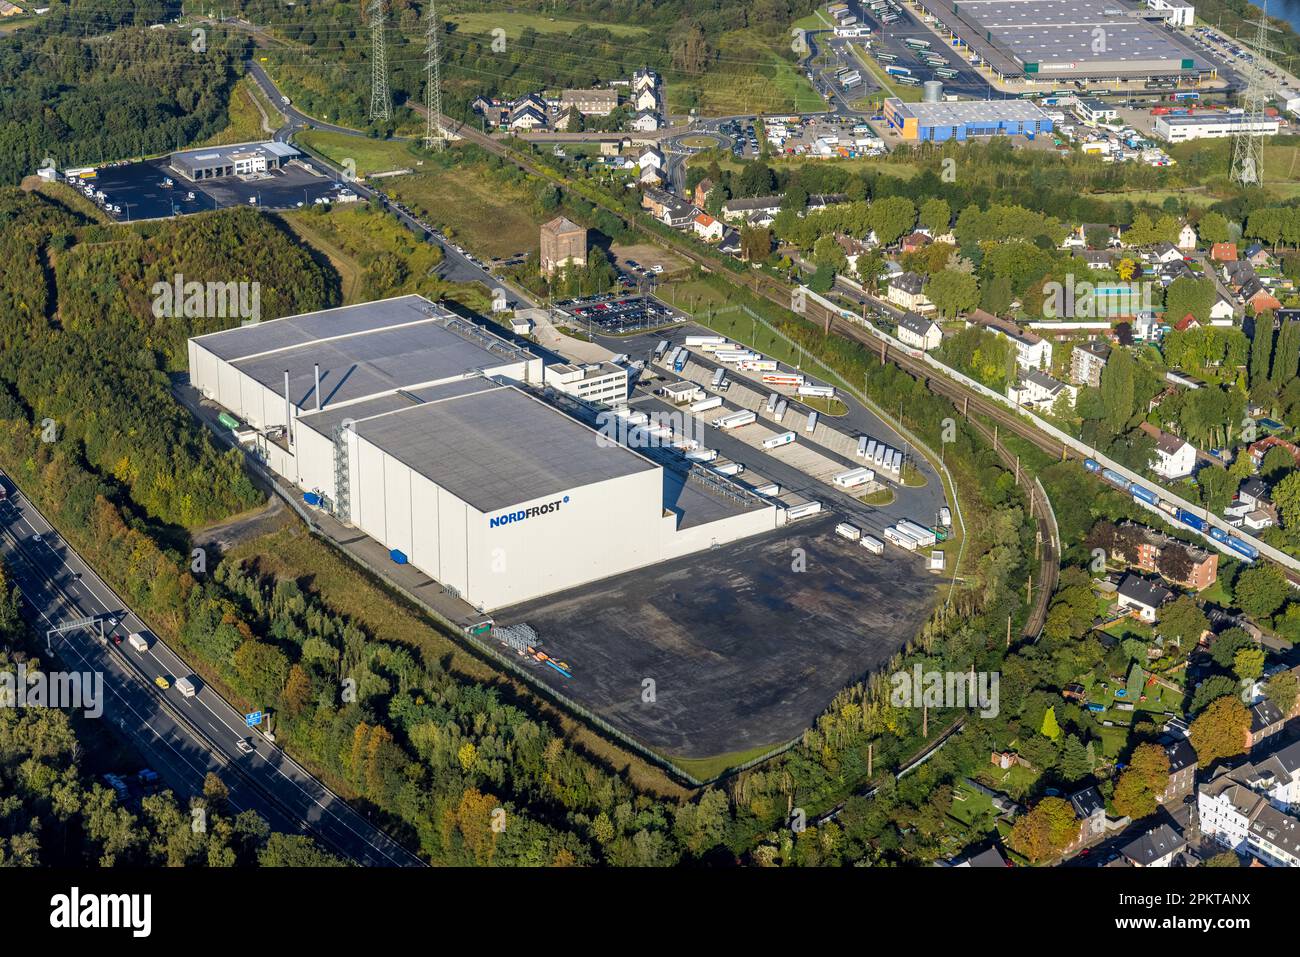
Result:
153,190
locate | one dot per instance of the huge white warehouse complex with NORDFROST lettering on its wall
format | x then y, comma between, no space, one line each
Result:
428,434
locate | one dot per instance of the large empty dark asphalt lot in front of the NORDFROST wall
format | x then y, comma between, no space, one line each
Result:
744,646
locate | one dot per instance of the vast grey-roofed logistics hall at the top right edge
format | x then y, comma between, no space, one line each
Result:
1091,41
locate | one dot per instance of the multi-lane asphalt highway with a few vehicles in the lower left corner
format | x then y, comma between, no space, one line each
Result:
190,737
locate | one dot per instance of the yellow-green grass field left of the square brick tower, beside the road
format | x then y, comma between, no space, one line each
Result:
473,205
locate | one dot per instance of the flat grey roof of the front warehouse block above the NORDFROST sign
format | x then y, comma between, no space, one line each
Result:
499,448
